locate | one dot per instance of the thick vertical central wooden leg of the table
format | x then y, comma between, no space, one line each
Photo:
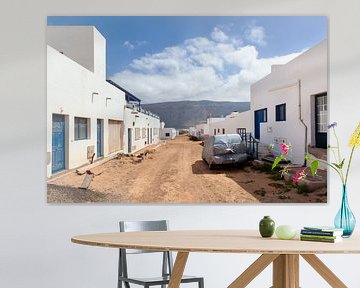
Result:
286,271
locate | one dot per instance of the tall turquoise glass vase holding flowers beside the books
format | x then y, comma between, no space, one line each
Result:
345,219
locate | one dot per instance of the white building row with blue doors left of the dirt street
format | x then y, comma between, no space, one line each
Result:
85,113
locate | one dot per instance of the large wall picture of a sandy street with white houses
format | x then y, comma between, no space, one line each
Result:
186,109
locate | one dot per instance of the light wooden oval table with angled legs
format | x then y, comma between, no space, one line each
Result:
284,254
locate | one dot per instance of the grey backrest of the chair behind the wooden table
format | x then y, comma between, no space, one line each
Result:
134,226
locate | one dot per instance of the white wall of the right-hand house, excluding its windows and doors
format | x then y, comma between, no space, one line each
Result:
282,86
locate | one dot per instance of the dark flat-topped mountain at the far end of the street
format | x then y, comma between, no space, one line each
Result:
184,114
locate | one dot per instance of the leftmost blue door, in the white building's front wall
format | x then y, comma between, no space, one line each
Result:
58,143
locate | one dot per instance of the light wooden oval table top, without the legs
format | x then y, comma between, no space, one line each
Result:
220,241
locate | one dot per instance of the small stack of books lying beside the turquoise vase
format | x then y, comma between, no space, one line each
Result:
321,234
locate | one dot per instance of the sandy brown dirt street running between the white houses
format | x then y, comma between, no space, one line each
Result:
175,173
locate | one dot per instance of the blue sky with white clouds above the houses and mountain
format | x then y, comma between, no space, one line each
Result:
162,59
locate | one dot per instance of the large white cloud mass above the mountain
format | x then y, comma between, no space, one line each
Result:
197,69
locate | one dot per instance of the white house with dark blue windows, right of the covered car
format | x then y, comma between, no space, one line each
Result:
290,104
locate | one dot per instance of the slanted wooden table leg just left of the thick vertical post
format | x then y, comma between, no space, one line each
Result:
253,270
